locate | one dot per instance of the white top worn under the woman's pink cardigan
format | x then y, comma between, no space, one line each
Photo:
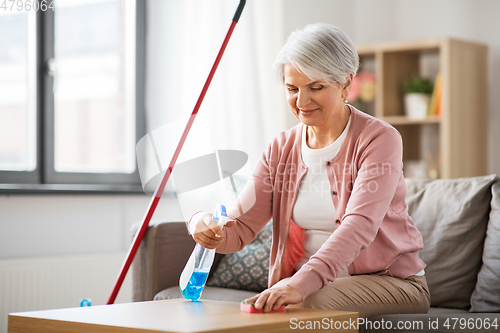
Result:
314,210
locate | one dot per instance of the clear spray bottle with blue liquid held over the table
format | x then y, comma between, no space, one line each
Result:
194,275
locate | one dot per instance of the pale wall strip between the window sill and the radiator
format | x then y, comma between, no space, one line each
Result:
47,225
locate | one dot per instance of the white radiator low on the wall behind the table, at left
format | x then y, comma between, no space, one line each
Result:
59,282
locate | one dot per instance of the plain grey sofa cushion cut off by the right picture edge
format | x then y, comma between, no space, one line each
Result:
486,296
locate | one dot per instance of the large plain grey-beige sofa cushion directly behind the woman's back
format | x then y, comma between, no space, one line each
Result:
452,215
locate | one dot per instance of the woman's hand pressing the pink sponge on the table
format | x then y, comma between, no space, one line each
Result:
273,298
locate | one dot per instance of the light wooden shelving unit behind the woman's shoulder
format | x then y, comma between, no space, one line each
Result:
454,143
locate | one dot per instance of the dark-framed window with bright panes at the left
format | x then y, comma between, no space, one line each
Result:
71,93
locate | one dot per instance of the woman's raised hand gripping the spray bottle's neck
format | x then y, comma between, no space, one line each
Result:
205,230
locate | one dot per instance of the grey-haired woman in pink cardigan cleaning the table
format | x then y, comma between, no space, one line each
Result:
334,186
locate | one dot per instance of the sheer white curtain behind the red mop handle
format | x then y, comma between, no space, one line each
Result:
244,107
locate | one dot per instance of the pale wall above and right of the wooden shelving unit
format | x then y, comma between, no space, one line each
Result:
381,20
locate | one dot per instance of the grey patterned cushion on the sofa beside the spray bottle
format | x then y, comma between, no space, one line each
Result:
247,269
